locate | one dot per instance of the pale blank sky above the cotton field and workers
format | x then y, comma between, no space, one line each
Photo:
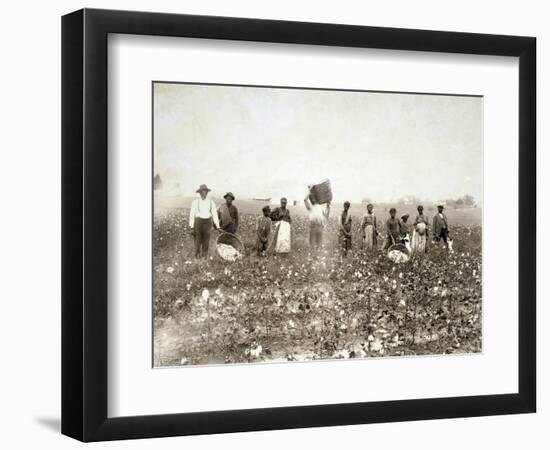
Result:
274,142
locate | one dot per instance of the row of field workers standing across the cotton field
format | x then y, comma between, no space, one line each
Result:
273,226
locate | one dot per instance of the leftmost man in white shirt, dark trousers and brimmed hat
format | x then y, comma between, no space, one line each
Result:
203,213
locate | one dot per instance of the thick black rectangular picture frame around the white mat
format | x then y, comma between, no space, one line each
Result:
84,224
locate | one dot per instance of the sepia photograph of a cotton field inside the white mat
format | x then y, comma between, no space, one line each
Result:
298,224
